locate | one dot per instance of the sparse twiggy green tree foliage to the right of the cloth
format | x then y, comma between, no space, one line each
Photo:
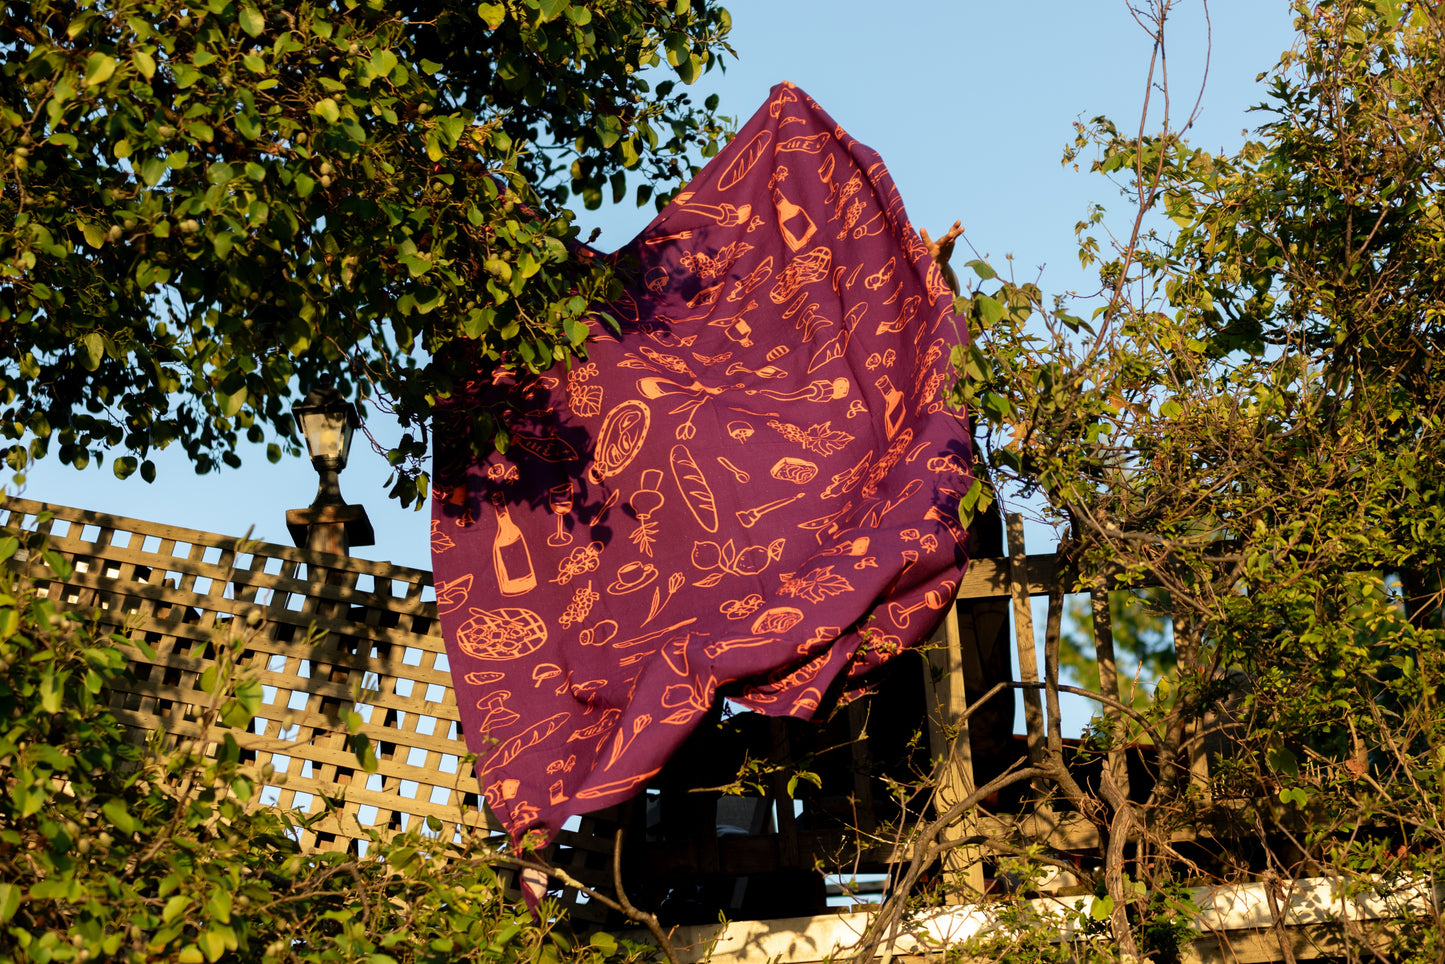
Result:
1248,416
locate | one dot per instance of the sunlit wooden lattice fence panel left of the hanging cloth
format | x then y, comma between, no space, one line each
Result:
327,638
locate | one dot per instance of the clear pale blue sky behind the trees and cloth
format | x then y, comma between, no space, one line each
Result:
970,106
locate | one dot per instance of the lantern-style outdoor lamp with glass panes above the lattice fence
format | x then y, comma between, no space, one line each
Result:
329,525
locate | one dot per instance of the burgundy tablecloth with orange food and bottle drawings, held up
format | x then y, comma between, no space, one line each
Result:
749,492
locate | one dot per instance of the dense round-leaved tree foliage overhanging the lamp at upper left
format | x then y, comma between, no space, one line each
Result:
209,209
